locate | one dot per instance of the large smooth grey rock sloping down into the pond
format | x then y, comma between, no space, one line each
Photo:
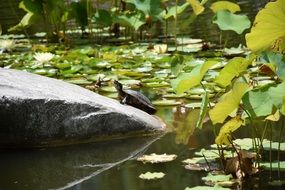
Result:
41,111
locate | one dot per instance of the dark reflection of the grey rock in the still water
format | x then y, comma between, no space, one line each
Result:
60,168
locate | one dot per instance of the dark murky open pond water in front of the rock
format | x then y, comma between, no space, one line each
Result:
113,164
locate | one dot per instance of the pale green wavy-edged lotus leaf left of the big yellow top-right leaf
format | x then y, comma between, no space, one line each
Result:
229,21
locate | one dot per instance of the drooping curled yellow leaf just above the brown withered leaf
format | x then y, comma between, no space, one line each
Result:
224,136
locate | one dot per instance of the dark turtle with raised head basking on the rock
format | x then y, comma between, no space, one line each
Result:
134,98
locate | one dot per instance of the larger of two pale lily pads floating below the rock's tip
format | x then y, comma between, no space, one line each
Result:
157,158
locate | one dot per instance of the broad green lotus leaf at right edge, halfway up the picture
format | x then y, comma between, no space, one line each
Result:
260,102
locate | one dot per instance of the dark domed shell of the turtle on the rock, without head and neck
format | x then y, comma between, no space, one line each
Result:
138,100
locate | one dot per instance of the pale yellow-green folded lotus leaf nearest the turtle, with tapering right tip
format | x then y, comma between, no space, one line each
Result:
185,81
